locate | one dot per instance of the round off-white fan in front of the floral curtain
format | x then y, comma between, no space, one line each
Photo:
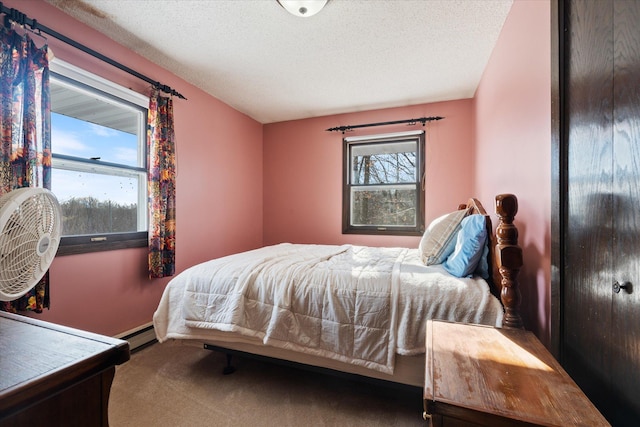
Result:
30,228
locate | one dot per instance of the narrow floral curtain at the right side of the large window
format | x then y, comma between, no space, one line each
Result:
162,187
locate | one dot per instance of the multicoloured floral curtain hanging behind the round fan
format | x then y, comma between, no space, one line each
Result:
25,127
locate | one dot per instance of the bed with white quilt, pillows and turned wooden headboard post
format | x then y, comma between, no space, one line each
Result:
353,309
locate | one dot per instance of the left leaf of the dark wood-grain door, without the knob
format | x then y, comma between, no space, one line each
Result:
586,290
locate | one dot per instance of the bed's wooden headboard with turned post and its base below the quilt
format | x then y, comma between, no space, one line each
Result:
505,257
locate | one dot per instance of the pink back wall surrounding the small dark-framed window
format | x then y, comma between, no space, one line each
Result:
303,171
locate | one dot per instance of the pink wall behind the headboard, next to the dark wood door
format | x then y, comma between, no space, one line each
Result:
513,137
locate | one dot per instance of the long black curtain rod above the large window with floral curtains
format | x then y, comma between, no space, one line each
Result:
14,15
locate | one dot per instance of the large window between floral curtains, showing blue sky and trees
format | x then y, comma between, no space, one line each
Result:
99,174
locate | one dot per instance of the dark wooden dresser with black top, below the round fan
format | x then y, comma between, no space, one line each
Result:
52,375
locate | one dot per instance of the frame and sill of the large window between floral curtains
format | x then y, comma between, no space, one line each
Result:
86,243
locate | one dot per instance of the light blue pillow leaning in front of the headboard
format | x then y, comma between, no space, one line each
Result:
470,244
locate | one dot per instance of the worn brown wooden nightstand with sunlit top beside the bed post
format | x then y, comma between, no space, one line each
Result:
483,376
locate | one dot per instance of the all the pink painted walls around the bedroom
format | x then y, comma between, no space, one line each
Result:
241,184
